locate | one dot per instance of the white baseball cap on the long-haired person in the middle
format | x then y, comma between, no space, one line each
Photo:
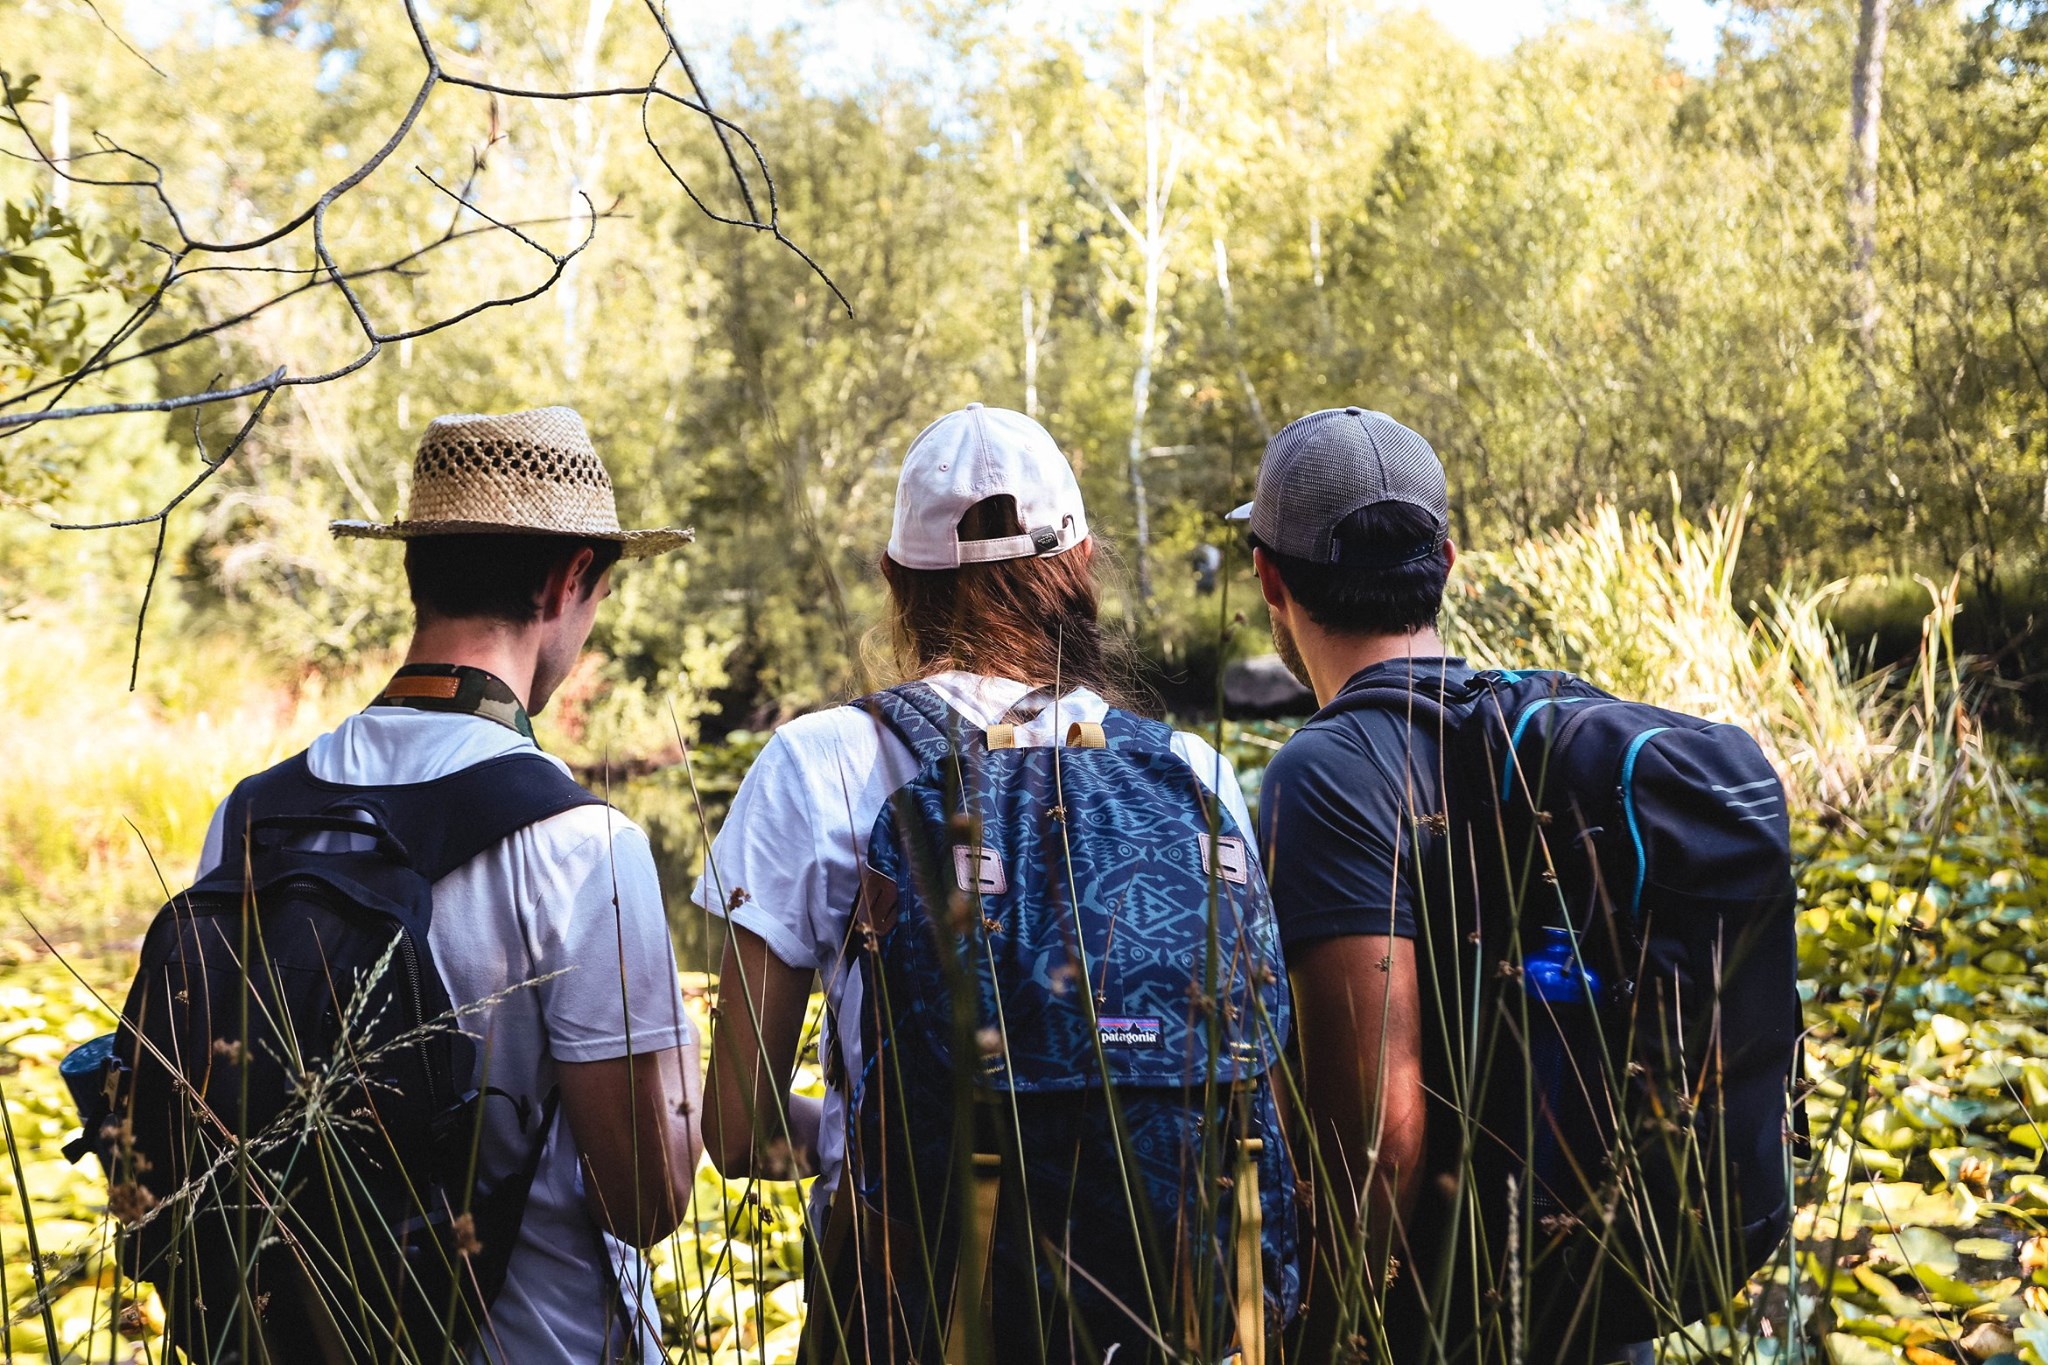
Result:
984,453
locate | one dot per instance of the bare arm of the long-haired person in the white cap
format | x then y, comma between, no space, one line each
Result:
757,1129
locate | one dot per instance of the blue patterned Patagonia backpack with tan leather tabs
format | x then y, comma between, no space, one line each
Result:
1064,1143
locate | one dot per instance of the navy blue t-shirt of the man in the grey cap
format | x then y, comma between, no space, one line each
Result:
1342,813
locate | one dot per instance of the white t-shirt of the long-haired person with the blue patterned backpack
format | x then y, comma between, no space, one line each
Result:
798,836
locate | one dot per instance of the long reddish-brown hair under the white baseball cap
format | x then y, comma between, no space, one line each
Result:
1027,619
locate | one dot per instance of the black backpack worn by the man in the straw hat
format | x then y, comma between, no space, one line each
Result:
286,1114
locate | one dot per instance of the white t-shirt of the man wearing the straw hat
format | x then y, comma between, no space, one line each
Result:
572,895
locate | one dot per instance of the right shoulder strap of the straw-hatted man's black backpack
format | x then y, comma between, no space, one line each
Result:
452,820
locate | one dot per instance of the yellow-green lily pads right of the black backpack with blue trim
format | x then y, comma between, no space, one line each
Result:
1926,969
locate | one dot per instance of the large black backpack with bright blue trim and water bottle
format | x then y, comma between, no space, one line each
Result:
1611,920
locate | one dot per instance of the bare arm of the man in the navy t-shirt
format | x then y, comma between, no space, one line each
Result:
1359,1020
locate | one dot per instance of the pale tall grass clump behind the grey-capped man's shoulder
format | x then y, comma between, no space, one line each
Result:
1652,615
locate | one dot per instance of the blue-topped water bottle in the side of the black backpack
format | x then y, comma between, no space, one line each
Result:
1568,1071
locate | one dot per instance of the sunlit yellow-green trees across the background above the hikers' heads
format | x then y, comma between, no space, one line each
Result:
1578,269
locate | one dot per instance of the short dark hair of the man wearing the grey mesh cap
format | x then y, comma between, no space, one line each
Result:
1373,601
